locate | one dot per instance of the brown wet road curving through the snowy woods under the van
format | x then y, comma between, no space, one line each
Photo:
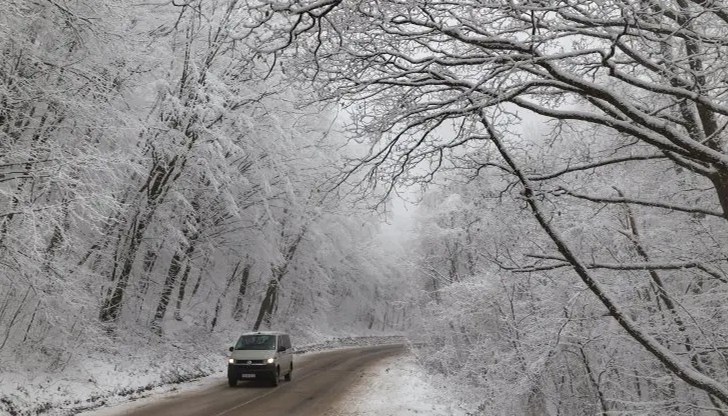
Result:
320,380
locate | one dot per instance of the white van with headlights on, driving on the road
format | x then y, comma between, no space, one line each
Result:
261,355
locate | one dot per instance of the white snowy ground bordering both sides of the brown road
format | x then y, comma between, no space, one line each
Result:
398,386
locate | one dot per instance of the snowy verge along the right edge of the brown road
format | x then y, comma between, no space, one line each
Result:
396,386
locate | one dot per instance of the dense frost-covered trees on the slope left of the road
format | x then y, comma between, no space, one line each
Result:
163,185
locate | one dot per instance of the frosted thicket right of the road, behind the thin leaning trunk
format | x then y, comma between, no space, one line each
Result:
507,319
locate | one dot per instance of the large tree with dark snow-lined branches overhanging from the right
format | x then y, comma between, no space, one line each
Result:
608,117
